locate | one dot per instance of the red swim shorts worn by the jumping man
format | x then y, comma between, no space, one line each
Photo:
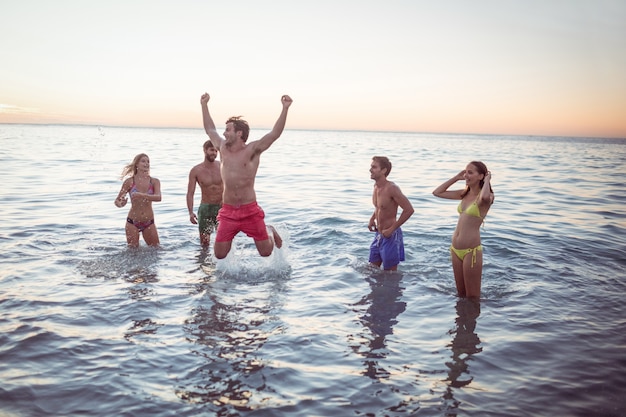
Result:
247,218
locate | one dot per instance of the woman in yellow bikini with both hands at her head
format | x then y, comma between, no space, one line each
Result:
466,250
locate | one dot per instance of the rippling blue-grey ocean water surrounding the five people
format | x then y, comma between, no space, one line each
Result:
89,327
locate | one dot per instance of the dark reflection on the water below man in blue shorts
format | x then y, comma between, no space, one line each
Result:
383,307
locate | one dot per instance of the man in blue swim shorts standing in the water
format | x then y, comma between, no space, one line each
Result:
387,249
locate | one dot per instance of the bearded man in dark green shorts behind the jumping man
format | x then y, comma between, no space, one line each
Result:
207,176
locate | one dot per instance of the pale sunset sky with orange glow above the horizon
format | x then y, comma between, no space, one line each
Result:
518,67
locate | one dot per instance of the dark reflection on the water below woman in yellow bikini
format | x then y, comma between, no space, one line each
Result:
465,343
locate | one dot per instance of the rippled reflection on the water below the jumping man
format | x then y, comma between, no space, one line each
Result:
232,322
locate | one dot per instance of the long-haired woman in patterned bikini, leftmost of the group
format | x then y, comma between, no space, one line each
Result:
143,190
